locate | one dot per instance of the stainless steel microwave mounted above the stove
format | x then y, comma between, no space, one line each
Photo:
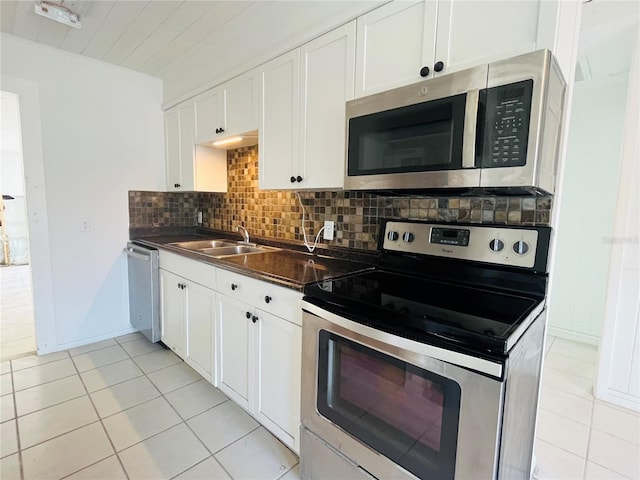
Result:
493,127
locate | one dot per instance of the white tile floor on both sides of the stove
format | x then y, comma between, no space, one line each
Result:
125,408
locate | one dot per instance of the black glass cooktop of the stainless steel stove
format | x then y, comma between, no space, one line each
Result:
427,310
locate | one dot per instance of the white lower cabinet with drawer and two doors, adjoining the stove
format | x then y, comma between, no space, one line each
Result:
259,351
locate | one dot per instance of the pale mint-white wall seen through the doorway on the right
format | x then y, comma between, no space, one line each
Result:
585,214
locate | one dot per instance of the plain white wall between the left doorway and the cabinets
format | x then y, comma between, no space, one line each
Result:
102,135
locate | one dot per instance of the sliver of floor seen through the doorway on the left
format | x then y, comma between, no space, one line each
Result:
17,332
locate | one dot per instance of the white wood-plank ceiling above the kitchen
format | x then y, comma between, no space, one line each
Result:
152,36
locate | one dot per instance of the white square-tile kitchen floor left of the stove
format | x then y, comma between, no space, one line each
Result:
125,408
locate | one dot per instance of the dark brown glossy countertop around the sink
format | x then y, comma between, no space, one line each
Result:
287,267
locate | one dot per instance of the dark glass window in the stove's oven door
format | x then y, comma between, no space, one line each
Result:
408,414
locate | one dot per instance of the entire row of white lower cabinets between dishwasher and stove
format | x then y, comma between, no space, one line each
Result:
242,334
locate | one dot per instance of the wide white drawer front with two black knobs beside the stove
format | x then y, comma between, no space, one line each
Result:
280,301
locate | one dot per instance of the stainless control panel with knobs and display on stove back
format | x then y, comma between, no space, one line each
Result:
482,243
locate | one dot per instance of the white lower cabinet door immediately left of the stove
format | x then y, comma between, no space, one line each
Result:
278,377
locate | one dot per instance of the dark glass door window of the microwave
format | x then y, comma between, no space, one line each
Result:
416,138
